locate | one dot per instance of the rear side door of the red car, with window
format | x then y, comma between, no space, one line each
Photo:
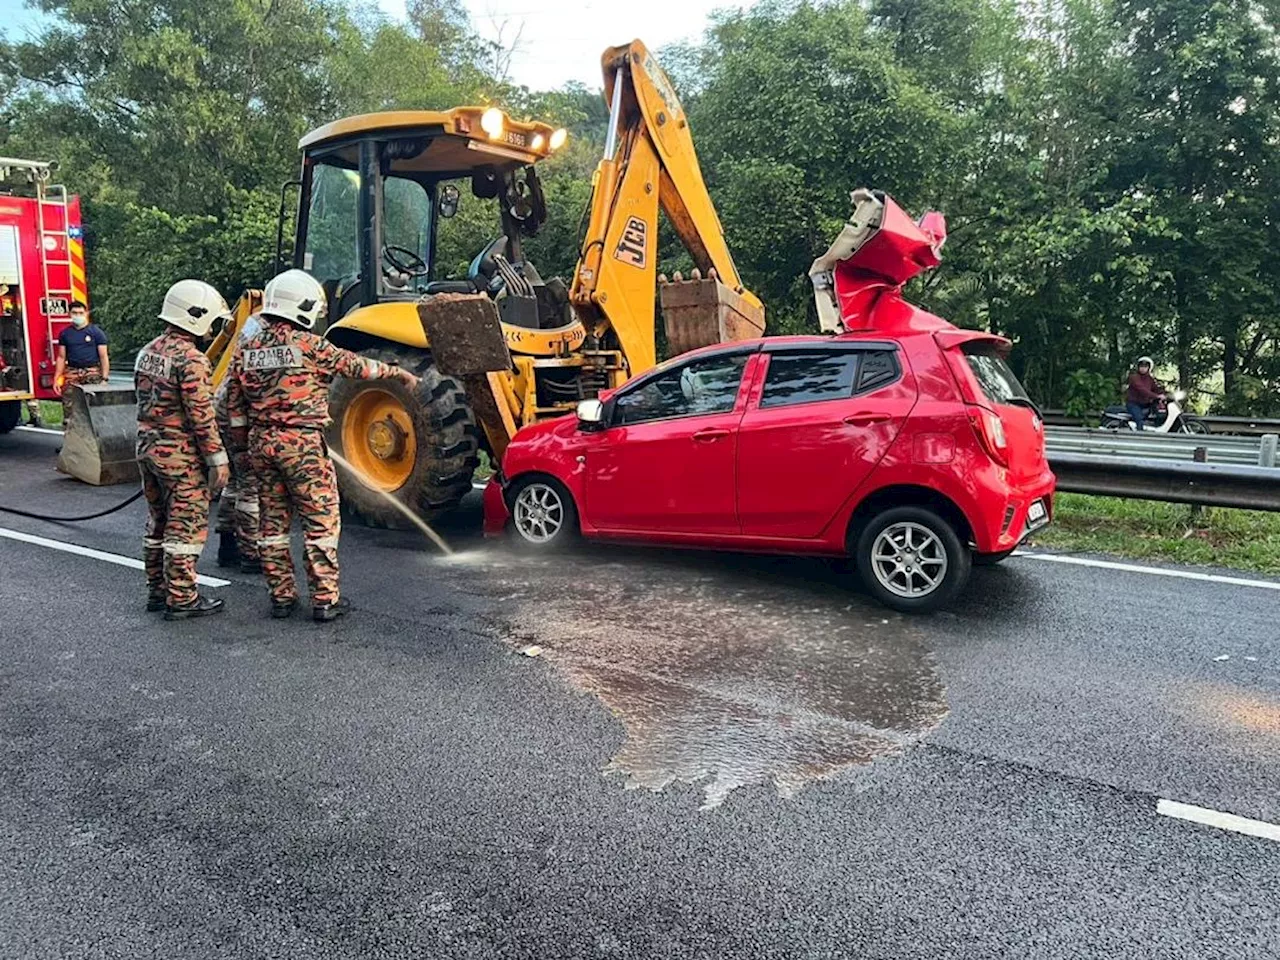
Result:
825,418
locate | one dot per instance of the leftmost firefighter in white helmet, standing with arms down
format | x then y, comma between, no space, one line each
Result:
181,455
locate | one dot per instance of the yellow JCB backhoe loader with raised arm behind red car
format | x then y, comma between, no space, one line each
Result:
500,348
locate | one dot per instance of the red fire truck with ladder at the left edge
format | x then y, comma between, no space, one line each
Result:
42,275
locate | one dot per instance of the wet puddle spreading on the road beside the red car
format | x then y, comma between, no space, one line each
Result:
725,671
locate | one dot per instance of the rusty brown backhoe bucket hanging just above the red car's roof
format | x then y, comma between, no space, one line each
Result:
702,312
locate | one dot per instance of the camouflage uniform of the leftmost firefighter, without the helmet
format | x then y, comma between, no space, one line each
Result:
179,442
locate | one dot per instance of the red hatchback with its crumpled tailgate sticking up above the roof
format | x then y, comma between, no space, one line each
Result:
903,442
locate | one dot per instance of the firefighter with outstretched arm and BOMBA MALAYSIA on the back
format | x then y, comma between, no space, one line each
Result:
278,403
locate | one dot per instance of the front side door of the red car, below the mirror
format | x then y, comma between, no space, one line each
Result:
668,461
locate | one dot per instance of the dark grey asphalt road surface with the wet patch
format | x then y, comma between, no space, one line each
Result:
711,757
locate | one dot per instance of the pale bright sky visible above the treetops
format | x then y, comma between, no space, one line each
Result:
560,40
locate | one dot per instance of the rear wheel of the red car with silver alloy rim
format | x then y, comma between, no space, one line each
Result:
912,560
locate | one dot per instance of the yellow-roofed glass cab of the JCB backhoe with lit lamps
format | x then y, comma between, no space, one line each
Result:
376,190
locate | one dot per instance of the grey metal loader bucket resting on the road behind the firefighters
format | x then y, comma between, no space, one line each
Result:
99,440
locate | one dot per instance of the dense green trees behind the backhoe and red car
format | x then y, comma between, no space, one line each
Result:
1108,167
